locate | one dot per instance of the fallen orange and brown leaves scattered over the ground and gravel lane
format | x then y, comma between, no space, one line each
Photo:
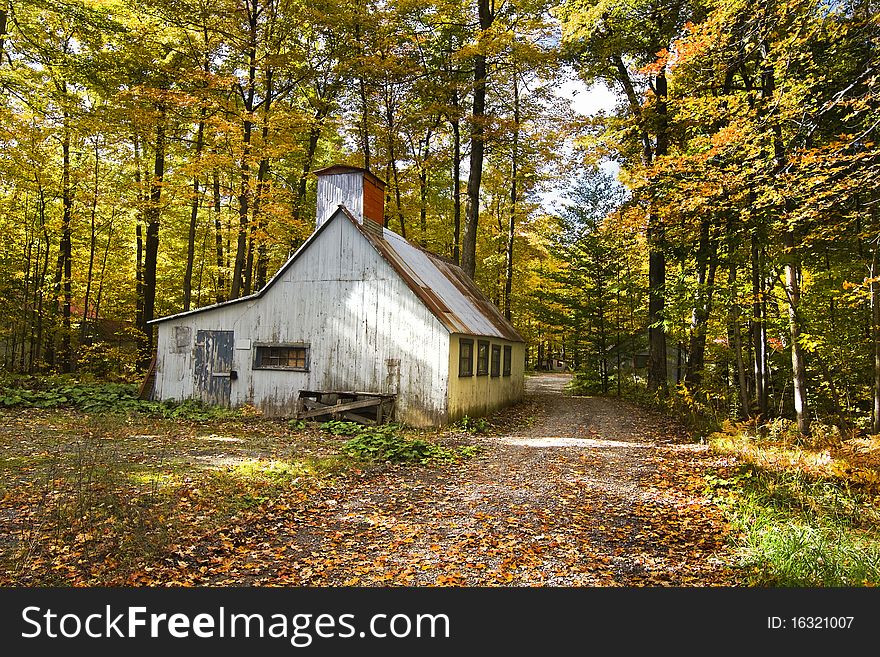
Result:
565,492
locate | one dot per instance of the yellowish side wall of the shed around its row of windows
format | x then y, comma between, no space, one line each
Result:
479,395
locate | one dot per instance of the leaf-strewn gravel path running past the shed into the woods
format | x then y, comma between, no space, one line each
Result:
576,491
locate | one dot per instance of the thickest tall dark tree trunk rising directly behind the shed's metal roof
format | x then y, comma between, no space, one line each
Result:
475,175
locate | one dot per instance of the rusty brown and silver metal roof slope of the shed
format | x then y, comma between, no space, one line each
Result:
442,286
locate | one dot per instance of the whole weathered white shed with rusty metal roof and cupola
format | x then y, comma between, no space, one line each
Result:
358,313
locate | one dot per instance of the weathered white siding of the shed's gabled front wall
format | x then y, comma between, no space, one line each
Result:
366,329
